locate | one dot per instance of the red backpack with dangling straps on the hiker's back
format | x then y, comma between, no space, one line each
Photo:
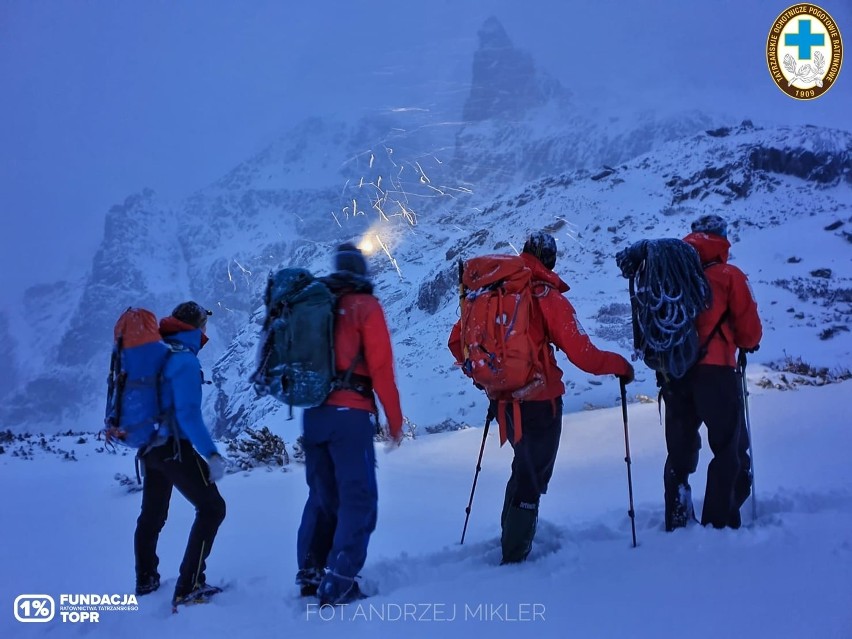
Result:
498,352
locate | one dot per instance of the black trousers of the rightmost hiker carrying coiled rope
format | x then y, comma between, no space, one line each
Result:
712,395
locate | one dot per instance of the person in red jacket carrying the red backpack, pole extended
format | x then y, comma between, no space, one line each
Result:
554,323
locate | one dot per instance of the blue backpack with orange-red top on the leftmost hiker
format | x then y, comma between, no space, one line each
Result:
133,413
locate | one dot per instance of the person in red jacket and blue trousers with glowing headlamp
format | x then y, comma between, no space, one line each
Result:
340,463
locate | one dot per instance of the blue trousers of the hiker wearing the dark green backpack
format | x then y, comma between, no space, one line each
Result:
340,469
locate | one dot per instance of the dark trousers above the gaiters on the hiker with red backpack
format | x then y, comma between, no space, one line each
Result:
535,454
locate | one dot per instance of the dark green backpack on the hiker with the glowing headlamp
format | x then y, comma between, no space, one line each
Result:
296,351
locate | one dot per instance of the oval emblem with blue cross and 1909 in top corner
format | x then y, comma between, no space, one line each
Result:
804,51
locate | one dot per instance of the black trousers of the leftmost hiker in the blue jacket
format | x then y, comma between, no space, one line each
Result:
177,465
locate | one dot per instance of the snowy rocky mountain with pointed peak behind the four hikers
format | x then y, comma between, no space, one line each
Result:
426,189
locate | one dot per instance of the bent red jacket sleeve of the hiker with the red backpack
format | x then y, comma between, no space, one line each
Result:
564,330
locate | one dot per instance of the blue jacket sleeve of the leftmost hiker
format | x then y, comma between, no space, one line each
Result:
186,387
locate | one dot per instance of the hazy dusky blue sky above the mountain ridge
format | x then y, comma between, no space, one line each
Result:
103,98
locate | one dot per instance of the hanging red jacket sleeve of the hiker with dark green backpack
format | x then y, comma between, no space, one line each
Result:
378,354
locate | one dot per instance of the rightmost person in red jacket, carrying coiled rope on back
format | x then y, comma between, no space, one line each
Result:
710,392
